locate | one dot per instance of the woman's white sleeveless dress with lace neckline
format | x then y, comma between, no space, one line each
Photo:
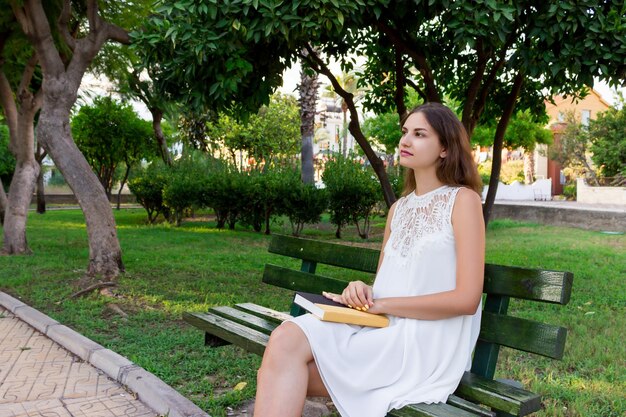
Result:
370,371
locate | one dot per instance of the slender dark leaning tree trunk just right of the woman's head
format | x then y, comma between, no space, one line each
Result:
497,146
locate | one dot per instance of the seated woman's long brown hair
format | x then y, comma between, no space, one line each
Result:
458,167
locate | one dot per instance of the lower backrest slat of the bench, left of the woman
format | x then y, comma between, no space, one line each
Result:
300,281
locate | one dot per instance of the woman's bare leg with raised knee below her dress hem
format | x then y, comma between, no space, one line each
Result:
283,379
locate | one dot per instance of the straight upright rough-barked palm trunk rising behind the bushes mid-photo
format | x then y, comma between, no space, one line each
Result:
308,102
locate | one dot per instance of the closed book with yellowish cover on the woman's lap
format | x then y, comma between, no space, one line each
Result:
329,310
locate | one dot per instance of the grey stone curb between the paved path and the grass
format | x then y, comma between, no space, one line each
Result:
151,390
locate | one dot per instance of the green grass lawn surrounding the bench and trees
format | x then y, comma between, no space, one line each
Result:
170,270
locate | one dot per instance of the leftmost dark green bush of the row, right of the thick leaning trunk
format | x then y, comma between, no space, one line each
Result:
147,187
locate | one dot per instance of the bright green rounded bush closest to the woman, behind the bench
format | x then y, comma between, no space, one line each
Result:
352,192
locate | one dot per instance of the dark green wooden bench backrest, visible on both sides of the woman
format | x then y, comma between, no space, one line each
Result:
501,284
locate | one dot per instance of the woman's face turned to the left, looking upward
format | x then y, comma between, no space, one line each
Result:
419,146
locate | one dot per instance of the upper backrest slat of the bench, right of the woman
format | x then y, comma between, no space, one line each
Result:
531,284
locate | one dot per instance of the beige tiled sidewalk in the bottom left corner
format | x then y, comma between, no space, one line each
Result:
40,378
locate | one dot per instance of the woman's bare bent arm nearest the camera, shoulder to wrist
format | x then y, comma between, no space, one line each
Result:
469,234
